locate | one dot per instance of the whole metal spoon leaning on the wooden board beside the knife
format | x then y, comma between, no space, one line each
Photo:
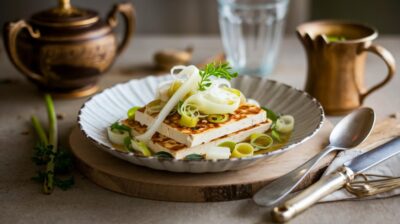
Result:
348,133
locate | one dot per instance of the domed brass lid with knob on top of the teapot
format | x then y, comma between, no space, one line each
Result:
65,15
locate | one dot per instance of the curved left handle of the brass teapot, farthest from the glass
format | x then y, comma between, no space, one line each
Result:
11,31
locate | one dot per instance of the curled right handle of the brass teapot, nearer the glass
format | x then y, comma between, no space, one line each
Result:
128,12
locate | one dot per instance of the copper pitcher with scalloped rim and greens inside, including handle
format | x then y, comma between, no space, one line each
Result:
336,53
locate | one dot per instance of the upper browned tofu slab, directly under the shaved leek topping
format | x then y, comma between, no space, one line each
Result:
245,116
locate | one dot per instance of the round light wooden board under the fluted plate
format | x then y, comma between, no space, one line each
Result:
123,177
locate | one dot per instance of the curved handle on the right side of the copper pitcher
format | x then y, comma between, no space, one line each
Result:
388,58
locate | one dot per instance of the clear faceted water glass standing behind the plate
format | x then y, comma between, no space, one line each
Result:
251,33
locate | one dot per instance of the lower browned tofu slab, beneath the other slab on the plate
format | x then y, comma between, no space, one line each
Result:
160,142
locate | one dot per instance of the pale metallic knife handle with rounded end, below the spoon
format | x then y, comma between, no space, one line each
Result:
311,195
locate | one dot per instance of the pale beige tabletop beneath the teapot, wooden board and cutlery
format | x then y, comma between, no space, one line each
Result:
22,202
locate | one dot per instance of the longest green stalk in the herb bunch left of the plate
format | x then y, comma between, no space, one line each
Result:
53,132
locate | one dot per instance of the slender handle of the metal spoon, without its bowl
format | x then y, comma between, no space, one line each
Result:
277,190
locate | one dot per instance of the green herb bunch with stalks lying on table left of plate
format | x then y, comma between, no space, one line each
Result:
54,163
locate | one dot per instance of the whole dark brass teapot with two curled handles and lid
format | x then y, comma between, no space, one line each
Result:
64,50
